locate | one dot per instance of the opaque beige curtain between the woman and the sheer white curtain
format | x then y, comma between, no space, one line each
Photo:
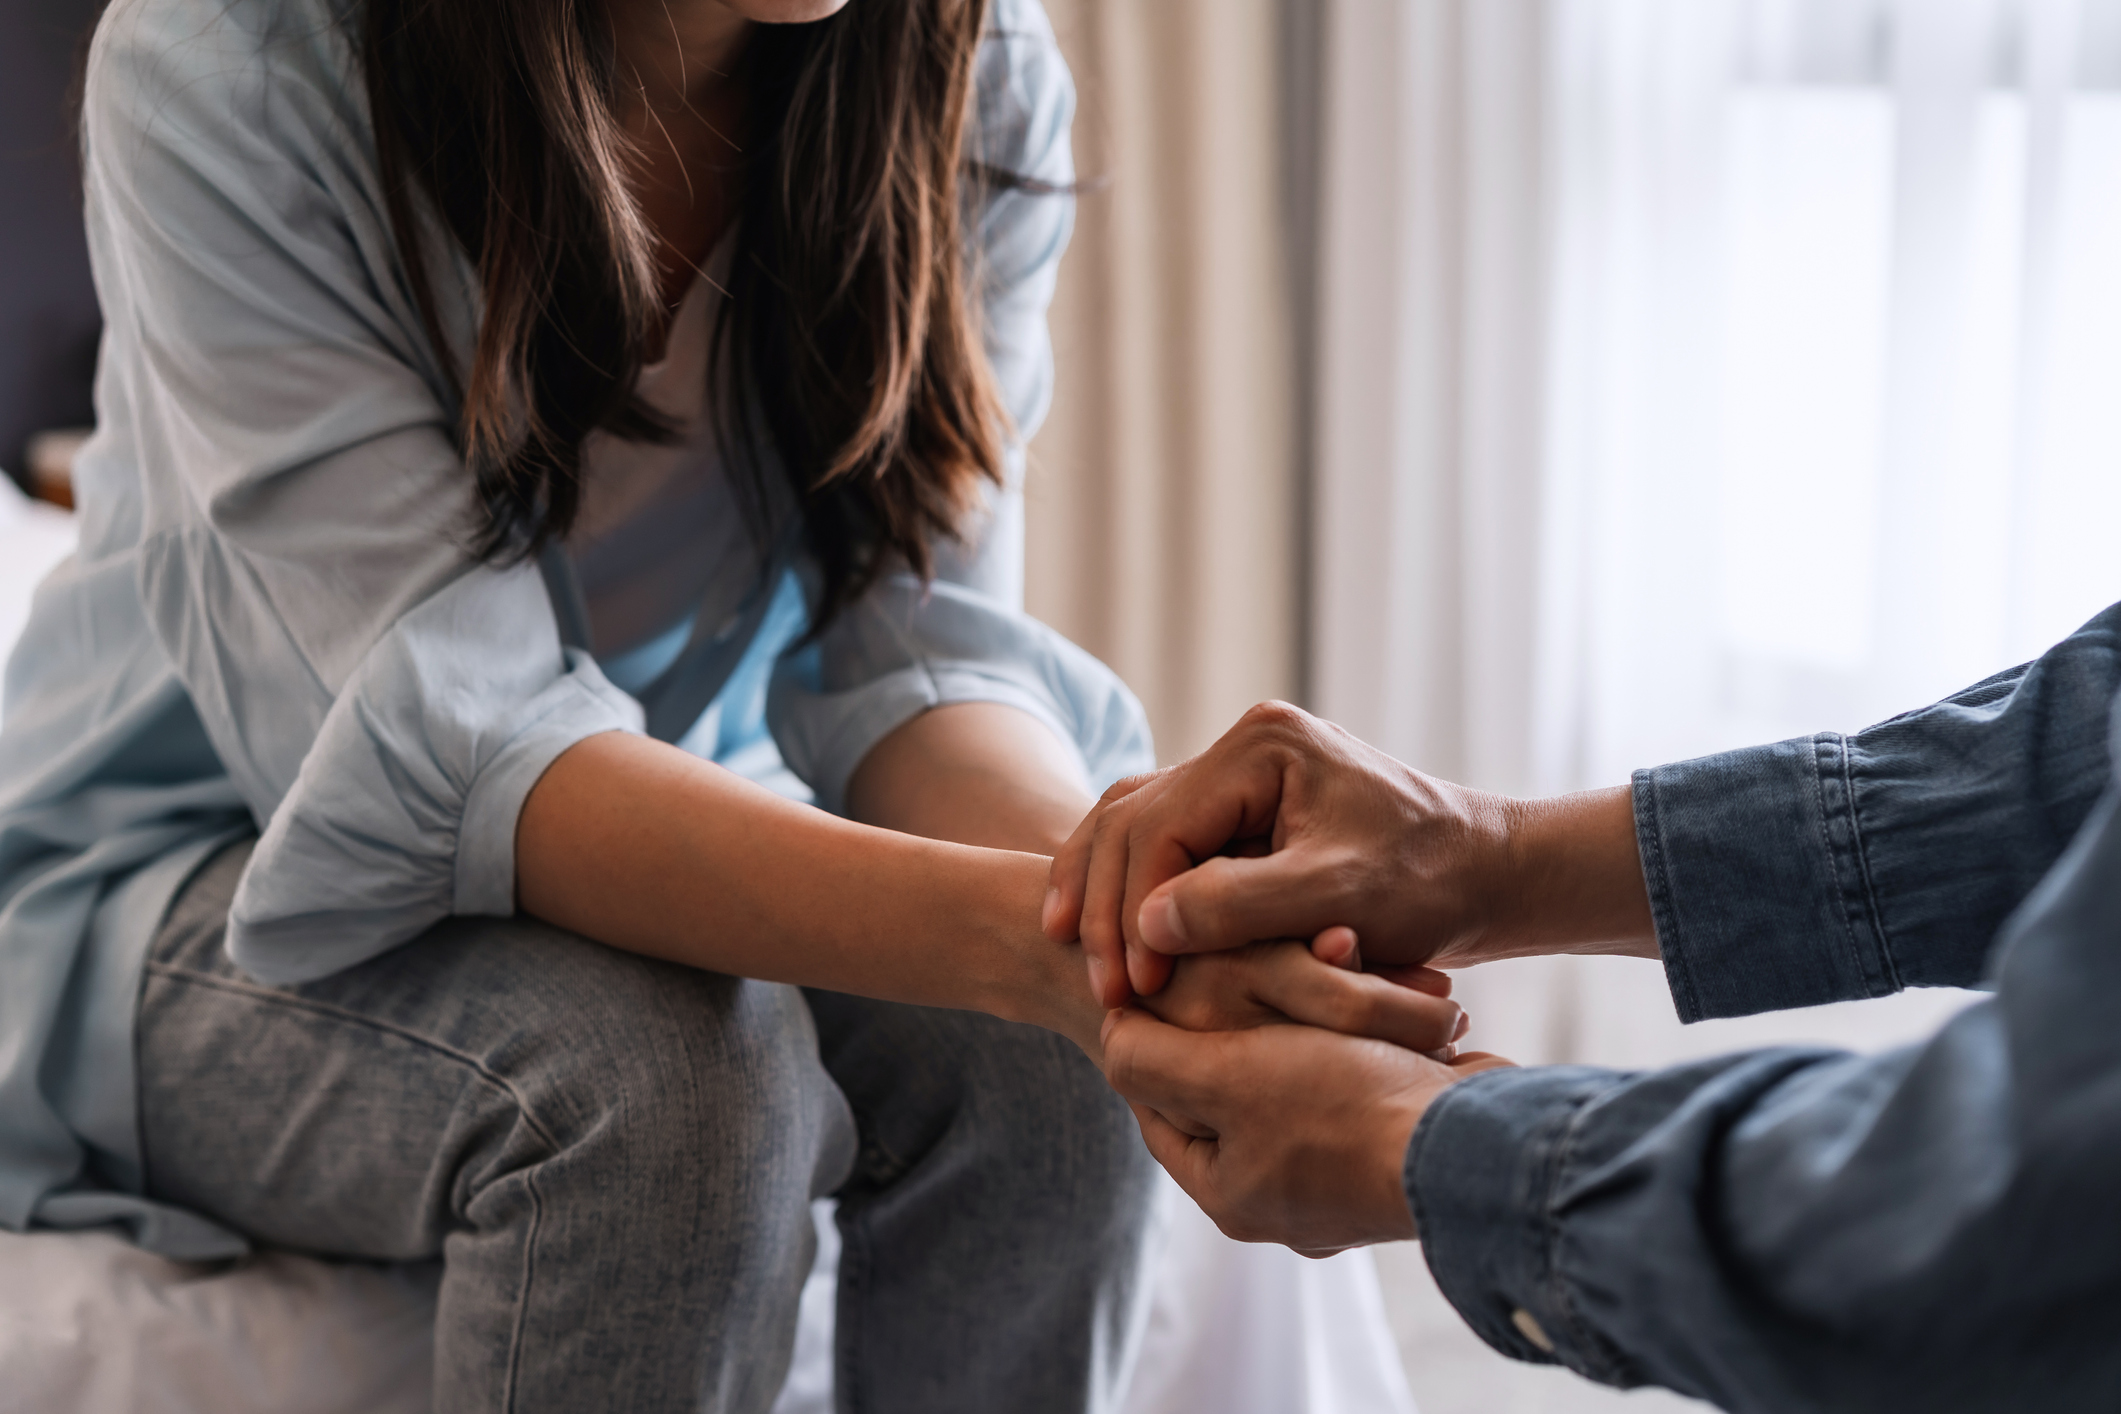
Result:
1163,495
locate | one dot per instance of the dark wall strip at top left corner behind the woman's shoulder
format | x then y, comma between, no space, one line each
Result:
48,306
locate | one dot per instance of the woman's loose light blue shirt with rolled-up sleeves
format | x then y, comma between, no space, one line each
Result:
275,624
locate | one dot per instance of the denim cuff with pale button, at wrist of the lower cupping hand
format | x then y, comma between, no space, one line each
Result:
1482,1173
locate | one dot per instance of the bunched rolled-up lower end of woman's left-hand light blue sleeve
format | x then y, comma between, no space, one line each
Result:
406,805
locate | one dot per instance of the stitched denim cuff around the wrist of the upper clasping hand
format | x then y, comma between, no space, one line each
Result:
1759,883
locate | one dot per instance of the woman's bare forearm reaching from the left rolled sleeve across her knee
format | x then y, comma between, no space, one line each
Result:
654,851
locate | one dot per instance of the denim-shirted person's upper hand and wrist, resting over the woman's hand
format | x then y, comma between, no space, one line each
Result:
1291,826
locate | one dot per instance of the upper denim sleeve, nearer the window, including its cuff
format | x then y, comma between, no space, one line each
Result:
1834,868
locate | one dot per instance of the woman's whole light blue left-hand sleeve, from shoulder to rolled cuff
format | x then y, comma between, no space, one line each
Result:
381,699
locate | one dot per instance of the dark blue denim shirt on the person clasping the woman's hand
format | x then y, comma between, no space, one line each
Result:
1933,1229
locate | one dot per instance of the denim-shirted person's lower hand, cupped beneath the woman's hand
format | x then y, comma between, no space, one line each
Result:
1282,1133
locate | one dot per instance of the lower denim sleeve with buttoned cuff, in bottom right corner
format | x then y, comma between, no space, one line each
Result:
1812,1231
